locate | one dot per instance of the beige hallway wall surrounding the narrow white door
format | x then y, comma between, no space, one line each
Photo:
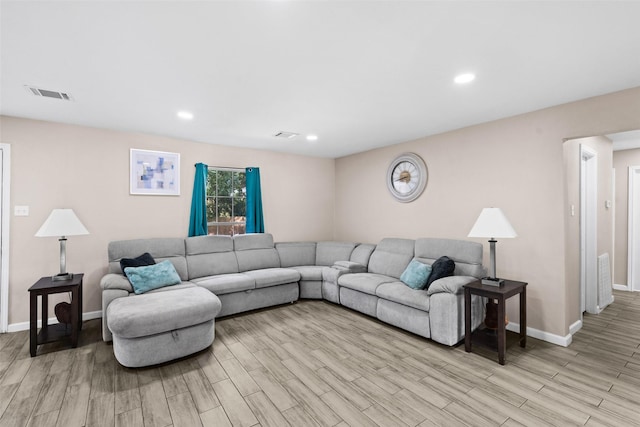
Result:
603,147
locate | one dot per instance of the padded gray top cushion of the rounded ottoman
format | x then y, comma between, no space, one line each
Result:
150,314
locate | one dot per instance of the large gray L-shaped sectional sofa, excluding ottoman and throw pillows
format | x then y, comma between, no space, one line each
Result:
248,272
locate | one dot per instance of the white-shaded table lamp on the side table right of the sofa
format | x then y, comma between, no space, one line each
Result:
492,223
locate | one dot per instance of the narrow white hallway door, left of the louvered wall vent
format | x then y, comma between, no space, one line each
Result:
588,230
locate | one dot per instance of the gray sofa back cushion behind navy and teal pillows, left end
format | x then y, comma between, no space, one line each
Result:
160,249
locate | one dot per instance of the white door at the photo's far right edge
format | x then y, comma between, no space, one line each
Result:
633,265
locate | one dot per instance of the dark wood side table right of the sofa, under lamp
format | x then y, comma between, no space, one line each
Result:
500,293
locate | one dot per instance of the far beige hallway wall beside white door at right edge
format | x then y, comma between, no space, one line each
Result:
621,162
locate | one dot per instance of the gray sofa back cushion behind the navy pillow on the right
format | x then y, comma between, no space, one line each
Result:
467,255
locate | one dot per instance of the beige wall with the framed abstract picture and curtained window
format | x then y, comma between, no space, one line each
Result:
56,165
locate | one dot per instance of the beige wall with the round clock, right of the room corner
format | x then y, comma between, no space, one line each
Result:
515,164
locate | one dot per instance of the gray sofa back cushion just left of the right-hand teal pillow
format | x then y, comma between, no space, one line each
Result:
391,257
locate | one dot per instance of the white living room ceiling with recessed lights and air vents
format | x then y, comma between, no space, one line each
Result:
360,75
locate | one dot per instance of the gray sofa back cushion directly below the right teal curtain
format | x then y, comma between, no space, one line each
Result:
255,251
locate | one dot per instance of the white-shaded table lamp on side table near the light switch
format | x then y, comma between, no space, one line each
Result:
62,223
